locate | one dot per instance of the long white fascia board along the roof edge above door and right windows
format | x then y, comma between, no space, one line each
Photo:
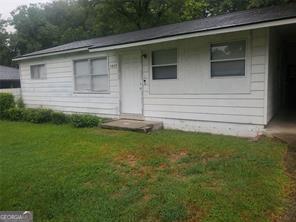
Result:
198,34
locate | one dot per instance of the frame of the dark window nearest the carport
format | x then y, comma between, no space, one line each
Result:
229,60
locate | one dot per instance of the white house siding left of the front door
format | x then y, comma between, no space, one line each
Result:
57,90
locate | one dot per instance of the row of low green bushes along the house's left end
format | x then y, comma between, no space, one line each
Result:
9,110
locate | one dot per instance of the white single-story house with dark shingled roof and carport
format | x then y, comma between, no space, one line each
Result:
226,74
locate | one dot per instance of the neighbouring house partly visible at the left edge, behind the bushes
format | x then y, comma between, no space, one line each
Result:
9,77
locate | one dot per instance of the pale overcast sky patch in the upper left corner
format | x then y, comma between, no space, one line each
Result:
6,6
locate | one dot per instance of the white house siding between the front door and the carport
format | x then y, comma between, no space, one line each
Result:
197,102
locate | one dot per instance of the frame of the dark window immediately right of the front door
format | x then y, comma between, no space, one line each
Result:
164,65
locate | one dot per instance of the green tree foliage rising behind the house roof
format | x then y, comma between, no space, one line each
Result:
41,26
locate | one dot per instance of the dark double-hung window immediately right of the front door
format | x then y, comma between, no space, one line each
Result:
164,64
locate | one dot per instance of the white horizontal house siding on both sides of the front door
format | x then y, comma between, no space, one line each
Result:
195,101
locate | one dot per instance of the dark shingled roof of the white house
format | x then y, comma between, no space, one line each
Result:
235,19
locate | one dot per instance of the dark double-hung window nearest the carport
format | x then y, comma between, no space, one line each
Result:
228,59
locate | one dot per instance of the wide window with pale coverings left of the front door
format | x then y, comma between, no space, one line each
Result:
91,75
